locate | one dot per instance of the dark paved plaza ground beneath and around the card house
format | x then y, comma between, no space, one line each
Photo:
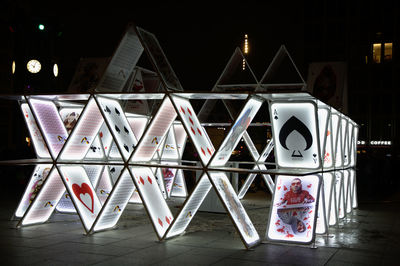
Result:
370,236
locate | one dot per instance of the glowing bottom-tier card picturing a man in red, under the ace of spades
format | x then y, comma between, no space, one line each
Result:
293,209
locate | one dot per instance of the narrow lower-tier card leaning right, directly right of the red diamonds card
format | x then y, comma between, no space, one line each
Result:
190,207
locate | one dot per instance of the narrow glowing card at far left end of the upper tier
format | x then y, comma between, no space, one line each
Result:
38,142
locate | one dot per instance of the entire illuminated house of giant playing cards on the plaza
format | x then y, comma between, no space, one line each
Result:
97,152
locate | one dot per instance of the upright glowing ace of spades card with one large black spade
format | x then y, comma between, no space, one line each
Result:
295,135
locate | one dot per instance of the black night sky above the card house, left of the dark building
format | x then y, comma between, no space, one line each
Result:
198,38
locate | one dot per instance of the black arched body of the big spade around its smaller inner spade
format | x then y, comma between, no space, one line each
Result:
291,125
